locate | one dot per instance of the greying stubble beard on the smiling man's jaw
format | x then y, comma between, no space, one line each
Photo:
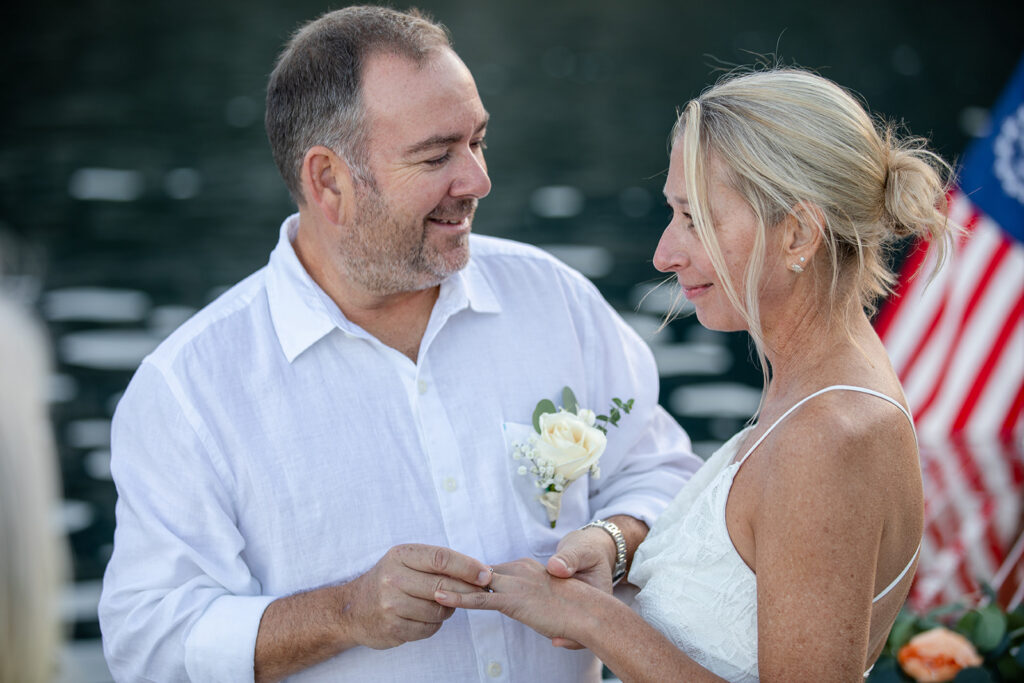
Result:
387,255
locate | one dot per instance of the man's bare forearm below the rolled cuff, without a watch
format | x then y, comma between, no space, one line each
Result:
304,630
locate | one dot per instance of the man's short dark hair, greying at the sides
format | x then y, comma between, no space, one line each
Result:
314,95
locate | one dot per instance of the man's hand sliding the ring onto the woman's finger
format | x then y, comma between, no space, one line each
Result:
394,604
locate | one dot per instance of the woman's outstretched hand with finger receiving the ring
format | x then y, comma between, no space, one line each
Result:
525,591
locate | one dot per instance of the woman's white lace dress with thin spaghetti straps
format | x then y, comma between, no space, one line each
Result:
696,588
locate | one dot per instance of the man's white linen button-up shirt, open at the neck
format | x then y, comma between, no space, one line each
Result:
270,447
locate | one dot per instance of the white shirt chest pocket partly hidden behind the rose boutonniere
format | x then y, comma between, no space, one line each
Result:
574,511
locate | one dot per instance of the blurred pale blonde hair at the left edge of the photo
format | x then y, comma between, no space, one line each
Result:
32,554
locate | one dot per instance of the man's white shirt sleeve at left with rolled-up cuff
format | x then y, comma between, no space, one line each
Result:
179,602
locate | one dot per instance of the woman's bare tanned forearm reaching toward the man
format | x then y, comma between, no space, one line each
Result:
632,649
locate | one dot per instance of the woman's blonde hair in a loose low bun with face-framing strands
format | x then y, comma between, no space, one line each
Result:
788,138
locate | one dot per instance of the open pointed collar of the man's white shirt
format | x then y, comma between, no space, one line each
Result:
301,310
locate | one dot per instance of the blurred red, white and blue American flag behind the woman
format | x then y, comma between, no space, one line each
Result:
958,344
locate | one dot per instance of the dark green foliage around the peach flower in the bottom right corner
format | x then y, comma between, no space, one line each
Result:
999,637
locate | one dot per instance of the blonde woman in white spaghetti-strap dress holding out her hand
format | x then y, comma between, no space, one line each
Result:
789,556
